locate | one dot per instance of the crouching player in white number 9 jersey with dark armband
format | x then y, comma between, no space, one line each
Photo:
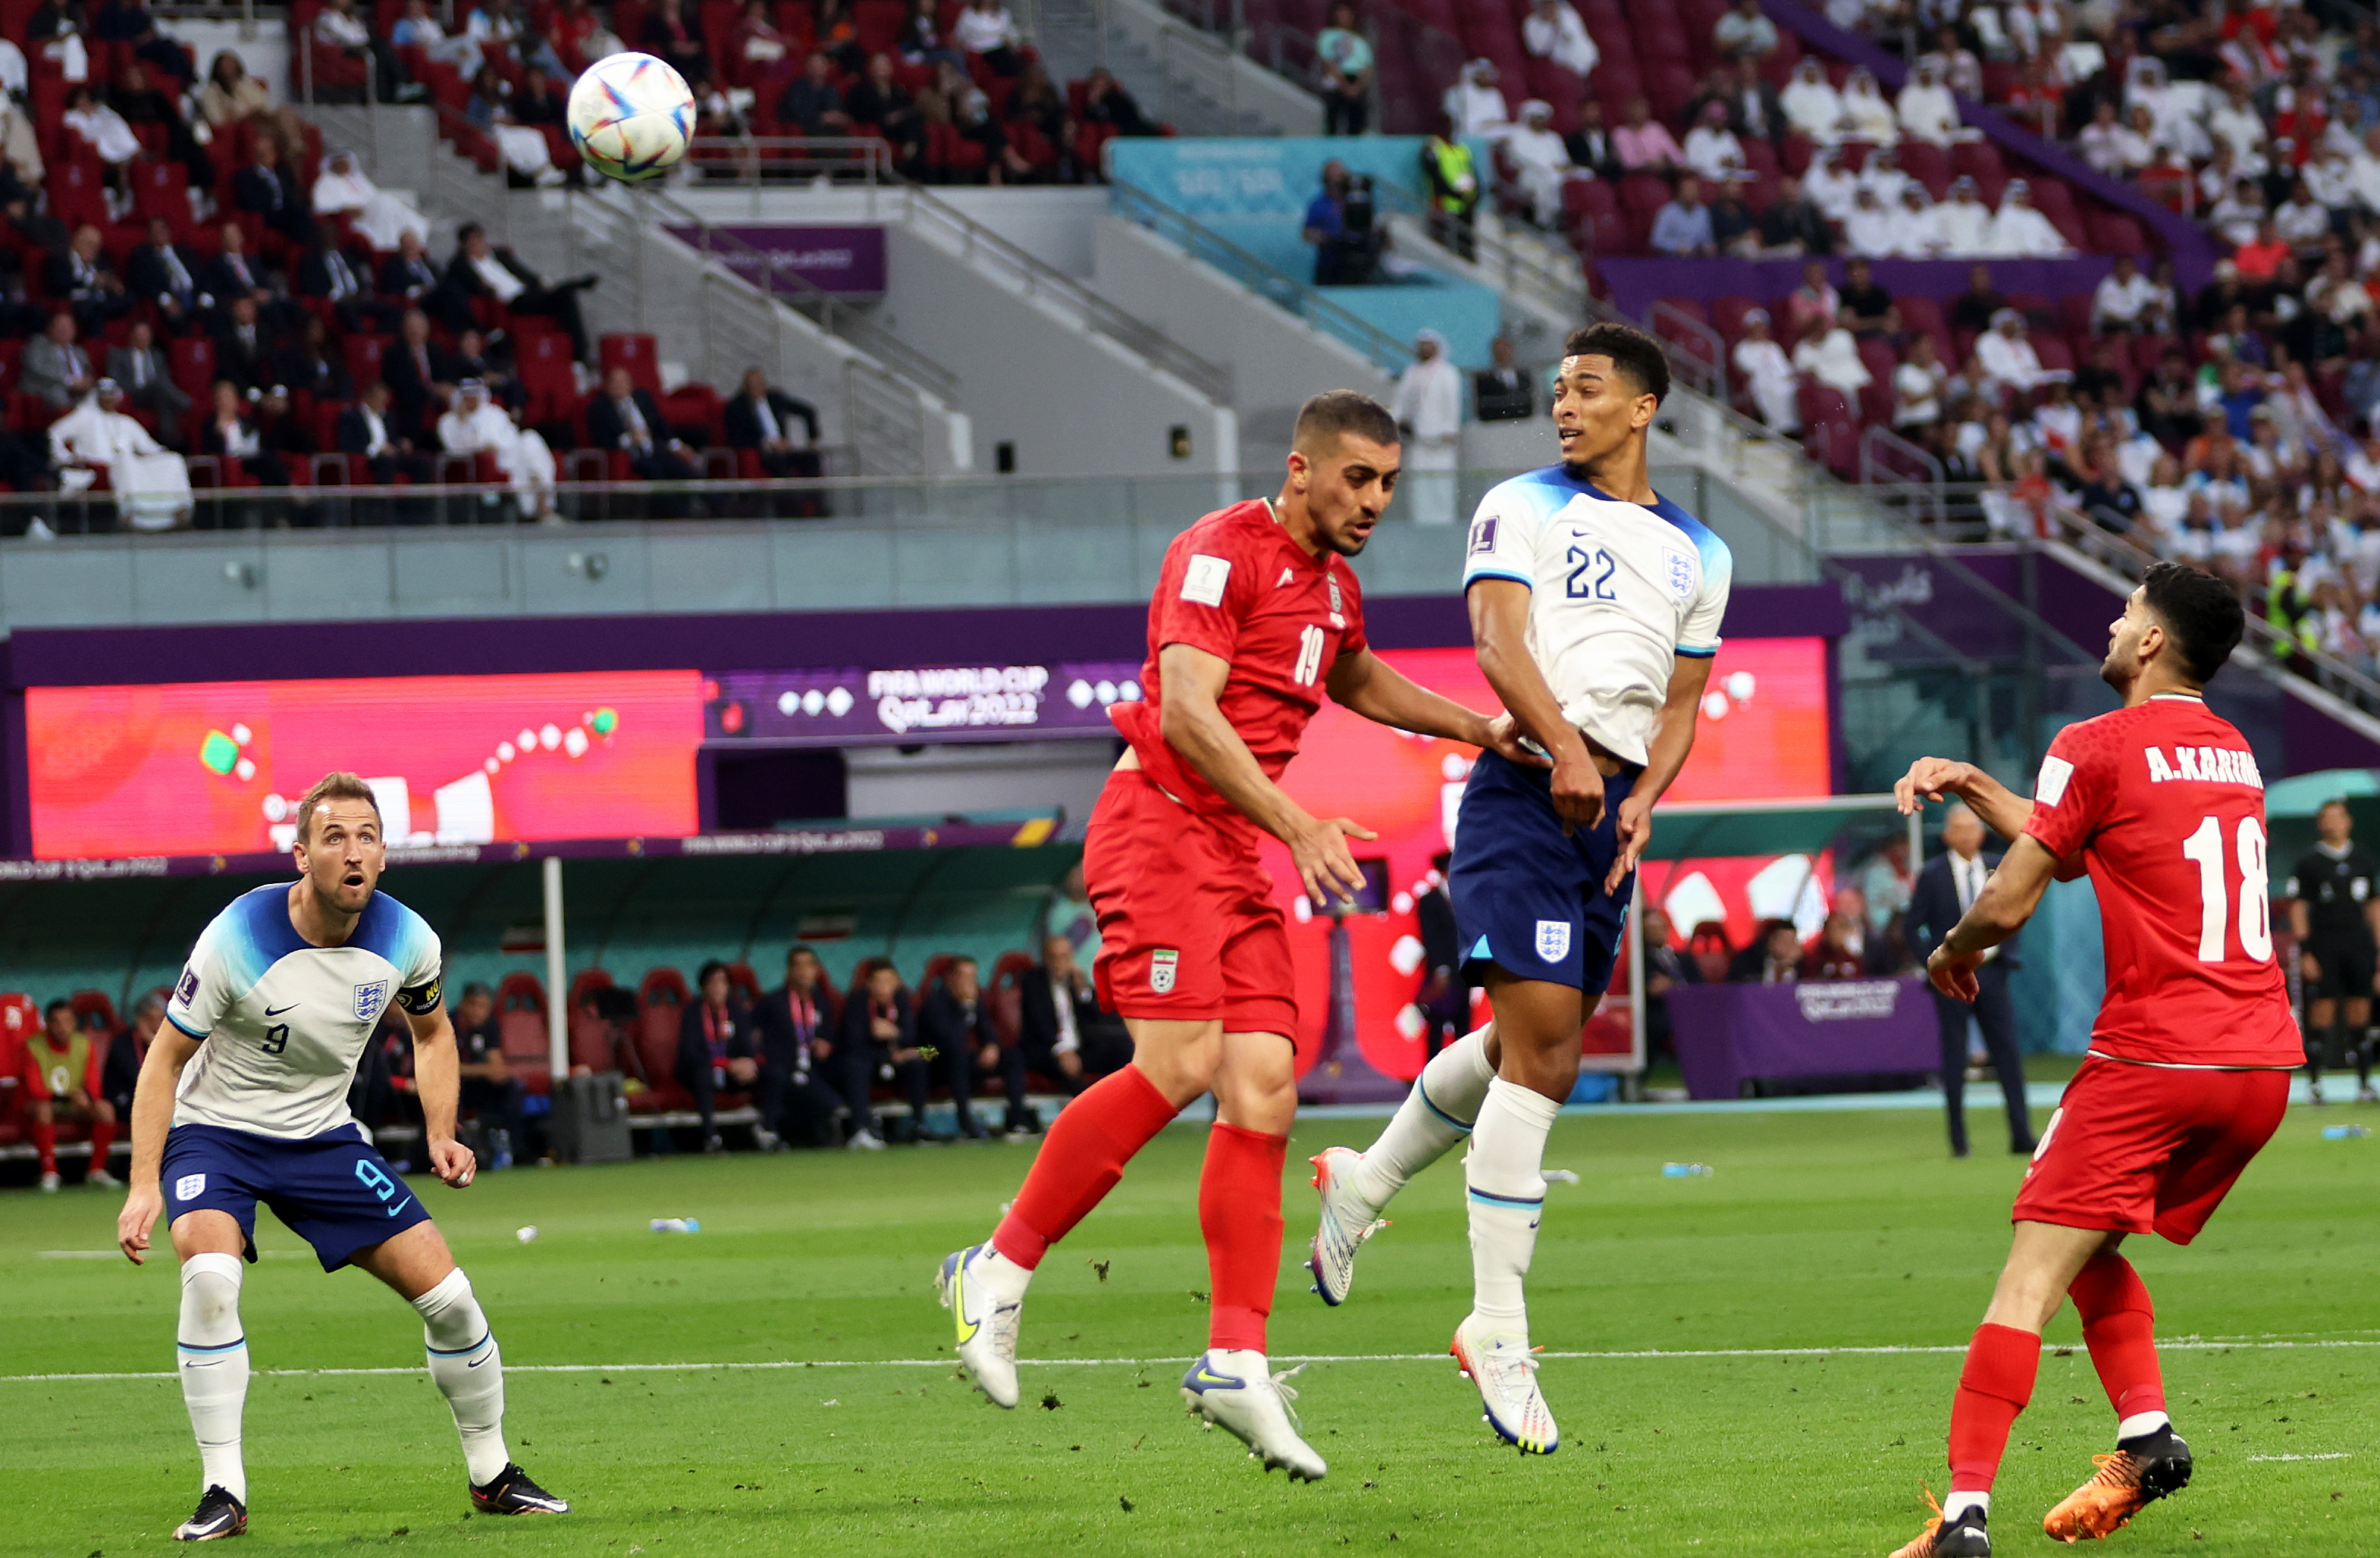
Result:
244,1098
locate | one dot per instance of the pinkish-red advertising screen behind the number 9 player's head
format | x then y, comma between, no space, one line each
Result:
453,760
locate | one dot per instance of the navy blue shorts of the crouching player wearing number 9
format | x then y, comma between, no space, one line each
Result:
334,1191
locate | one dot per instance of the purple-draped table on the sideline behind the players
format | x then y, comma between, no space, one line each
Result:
1734,1034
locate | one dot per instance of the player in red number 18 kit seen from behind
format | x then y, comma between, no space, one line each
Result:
2191,1057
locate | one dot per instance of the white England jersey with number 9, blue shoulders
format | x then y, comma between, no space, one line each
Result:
287,1022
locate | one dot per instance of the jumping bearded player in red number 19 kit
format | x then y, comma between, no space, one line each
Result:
1255,617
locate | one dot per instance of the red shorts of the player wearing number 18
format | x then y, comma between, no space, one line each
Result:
2148,1148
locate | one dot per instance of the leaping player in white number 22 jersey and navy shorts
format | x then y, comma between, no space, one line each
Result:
1596,610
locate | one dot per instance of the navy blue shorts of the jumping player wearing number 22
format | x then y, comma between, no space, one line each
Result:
1529,898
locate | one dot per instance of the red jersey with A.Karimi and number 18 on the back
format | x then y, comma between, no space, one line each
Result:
2167,808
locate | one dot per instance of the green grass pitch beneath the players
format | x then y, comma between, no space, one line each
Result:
1820,1231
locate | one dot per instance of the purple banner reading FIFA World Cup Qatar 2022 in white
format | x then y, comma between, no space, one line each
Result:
856,708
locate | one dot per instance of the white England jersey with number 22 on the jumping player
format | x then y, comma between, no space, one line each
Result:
1617,593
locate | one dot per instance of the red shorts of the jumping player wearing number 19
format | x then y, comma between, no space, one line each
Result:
1189,926
